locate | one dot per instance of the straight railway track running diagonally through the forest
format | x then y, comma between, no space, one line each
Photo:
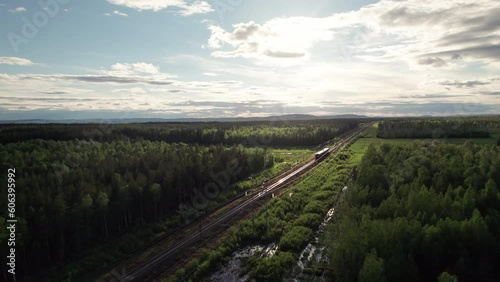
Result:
143,271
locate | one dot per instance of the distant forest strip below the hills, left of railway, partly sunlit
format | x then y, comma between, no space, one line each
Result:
251,133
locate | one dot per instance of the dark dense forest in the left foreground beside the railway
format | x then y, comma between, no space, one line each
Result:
74,194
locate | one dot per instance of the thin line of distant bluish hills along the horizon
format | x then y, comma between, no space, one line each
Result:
152,120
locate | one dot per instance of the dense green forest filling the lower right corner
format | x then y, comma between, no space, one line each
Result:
425,211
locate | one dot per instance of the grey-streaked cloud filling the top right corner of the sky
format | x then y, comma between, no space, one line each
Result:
431,33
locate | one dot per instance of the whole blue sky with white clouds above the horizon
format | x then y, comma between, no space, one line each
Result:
74,59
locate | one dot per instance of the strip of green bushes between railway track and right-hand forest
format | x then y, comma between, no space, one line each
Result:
289,222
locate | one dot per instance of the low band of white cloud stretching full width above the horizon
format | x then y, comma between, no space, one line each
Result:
140,87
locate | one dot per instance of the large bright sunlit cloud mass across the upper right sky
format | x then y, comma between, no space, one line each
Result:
423,33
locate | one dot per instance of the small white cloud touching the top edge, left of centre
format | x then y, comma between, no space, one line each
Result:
185,8
